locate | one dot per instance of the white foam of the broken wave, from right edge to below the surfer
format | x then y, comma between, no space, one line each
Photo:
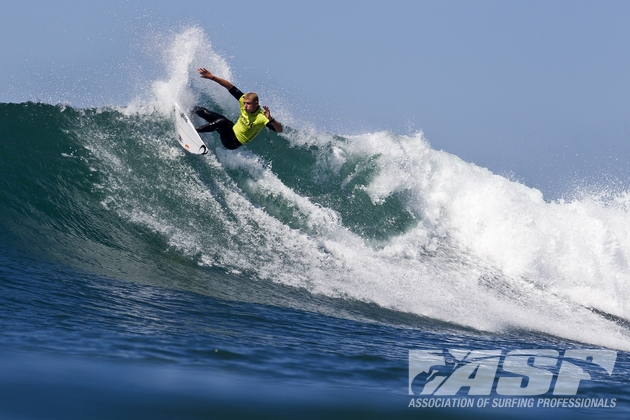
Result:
489,253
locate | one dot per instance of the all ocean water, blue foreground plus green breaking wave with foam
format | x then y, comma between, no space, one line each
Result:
290,278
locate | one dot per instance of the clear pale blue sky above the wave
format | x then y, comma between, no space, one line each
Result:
539,89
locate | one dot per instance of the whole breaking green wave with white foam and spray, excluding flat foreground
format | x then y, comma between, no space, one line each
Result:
376,218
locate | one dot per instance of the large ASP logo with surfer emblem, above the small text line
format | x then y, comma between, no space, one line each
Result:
522,372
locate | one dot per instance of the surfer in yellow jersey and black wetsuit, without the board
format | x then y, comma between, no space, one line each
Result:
251,121
